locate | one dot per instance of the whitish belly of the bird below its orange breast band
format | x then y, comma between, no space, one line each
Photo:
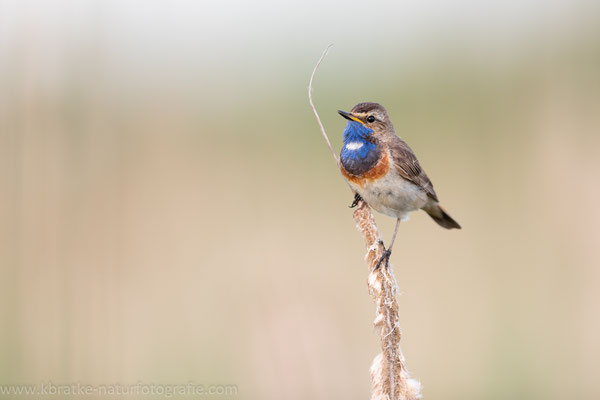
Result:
392,195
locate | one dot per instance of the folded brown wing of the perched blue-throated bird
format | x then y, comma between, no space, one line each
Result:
408,167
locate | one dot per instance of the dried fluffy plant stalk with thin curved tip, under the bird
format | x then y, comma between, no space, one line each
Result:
389,378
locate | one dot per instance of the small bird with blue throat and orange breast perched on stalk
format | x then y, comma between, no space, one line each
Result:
383,170
